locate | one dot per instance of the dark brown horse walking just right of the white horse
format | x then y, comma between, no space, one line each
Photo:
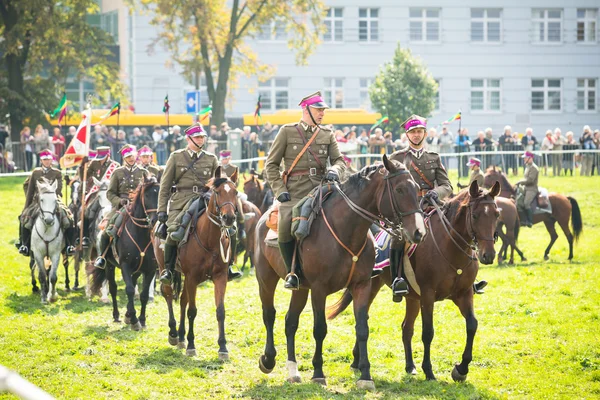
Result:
135,255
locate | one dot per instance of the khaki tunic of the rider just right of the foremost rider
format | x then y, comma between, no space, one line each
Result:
431,167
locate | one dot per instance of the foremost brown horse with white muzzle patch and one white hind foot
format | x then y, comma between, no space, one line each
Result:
338,254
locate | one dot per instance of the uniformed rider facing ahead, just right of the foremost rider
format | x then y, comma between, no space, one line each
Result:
428,172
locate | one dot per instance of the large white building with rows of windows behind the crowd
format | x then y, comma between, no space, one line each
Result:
520,63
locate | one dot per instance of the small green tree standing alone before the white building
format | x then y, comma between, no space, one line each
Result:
403,87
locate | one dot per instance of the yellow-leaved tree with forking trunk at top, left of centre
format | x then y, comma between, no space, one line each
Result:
207,37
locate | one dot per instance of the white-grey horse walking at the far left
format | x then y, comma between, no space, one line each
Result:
47,239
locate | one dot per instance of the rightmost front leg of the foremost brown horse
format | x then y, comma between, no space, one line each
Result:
361,295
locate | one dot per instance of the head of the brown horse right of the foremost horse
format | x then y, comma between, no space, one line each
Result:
482,217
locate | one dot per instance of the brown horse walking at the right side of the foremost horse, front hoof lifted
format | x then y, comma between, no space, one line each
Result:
445,268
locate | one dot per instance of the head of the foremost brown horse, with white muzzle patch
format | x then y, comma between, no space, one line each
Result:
401,202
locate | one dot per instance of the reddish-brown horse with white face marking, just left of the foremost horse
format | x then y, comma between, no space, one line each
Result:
204,256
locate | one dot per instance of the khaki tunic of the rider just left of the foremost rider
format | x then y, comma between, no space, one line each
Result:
187,180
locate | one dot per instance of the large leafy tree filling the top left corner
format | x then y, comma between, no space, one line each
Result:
46,42
